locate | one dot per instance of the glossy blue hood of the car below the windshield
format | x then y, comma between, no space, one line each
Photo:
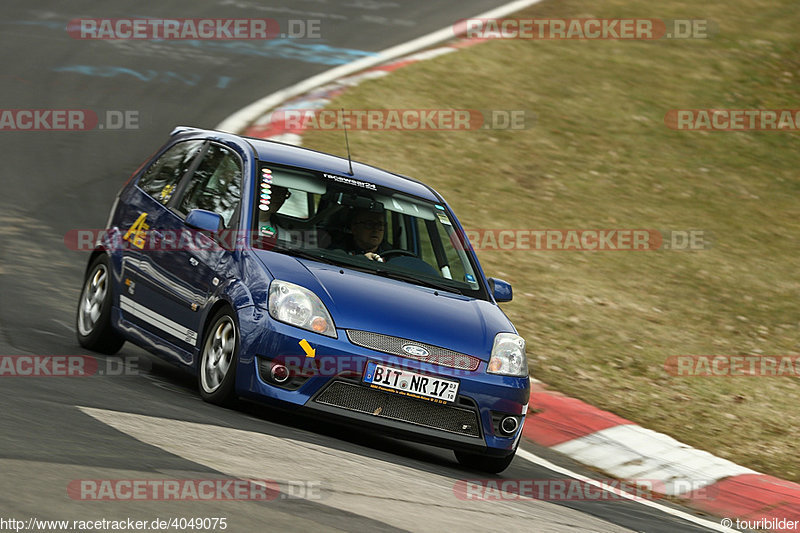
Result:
363,301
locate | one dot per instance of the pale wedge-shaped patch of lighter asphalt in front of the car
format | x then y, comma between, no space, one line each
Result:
388,492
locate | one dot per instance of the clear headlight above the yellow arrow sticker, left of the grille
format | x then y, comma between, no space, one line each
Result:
299,307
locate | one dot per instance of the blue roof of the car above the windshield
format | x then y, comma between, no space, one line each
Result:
297,156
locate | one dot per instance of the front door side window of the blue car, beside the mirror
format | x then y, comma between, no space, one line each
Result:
216,184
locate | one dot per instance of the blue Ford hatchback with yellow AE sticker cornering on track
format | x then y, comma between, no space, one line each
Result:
295,278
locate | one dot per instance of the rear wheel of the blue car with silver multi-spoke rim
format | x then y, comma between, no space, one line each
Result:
93,319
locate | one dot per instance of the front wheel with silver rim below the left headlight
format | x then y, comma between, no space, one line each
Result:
216,375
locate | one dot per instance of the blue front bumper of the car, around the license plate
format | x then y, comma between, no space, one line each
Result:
334,389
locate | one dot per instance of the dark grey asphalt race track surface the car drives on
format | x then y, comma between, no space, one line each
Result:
149,422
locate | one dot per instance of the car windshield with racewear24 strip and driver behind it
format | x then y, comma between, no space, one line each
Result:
355,224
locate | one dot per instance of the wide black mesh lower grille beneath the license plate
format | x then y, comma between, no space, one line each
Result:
395,407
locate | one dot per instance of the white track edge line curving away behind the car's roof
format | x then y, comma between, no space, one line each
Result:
237,122
